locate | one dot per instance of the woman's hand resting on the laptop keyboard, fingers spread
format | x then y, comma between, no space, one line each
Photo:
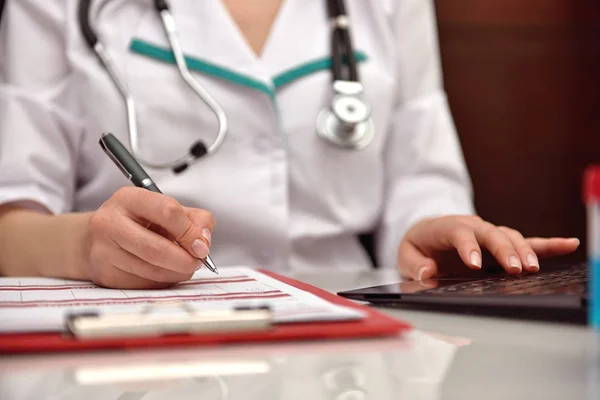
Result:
421,250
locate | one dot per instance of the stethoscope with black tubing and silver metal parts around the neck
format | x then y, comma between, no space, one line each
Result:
347,123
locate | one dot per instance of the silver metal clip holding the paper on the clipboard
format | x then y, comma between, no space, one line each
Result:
150,322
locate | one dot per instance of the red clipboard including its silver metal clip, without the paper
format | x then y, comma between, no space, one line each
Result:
237,326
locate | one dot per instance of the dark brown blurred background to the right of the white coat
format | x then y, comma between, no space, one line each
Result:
523,80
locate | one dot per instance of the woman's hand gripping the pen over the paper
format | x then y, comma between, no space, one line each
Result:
142,239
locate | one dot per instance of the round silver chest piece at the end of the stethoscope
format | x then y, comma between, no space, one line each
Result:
347,123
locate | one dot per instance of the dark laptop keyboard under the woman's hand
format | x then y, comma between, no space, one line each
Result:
567,281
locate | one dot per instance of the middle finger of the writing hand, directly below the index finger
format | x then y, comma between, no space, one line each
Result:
151,247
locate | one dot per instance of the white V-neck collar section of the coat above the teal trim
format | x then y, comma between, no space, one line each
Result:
209,34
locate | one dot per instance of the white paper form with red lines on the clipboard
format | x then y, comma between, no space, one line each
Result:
41,304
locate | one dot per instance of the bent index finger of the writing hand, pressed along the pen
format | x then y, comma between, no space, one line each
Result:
167,213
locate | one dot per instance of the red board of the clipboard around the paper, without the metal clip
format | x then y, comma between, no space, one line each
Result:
373,325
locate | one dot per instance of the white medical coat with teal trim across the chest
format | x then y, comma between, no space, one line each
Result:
283,198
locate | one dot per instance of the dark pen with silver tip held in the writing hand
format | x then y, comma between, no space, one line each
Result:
136,174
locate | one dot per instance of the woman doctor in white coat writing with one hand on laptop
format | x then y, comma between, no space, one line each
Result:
294,126
